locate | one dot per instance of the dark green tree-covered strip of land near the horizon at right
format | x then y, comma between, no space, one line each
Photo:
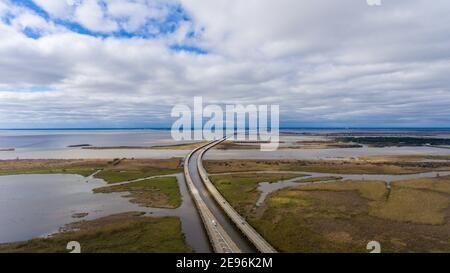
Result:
396,141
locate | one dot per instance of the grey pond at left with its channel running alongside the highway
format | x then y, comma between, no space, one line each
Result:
37,205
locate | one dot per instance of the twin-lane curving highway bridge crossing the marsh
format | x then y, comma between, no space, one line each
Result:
227,230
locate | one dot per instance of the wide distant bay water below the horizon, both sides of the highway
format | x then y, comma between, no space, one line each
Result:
50,144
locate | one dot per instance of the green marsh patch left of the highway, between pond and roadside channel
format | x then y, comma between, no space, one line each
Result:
162,192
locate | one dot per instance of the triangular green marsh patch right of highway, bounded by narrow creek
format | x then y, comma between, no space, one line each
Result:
241,190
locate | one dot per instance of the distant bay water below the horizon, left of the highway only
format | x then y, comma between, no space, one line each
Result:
50,144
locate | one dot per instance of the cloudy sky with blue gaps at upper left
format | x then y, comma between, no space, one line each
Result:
125,63
